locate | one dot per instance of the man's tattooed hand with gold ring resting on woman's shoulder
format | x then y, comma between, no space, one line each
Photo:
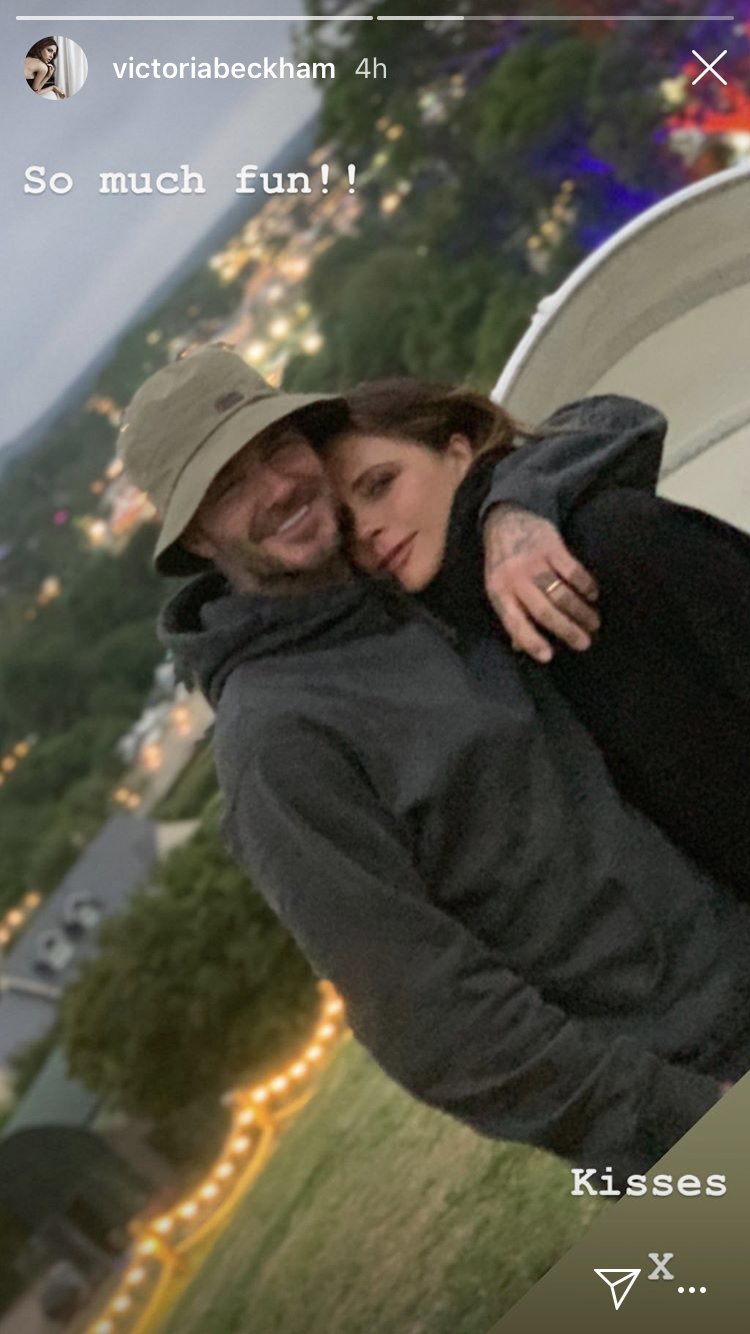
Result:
536,584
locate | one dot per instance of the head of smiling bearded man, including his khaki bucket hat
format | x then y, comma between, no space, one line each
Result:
253,498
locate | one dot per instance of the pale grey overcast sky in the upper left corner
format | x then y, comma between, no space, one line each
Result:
77,266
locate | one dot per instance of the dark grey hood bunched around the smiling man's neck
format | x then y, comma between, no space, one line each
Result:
212,629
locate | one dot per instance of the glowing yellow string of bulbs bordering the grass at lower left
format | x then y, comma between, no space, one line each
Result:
257,1111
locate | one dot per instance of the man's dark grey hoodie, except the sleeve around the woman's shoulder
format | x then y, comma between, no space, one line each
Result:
513,945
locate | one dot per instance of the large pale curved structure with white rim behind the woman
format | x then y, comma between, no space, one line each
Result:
661,313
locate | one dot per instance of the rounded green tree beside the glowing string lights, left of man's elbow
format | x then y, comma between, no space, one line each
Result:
196,989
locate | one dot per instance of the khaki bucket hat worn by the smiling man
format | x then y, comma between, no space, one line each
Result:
189,421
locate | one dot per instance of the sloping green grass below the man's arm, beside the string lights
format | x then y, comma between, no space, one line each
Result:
380,1216
